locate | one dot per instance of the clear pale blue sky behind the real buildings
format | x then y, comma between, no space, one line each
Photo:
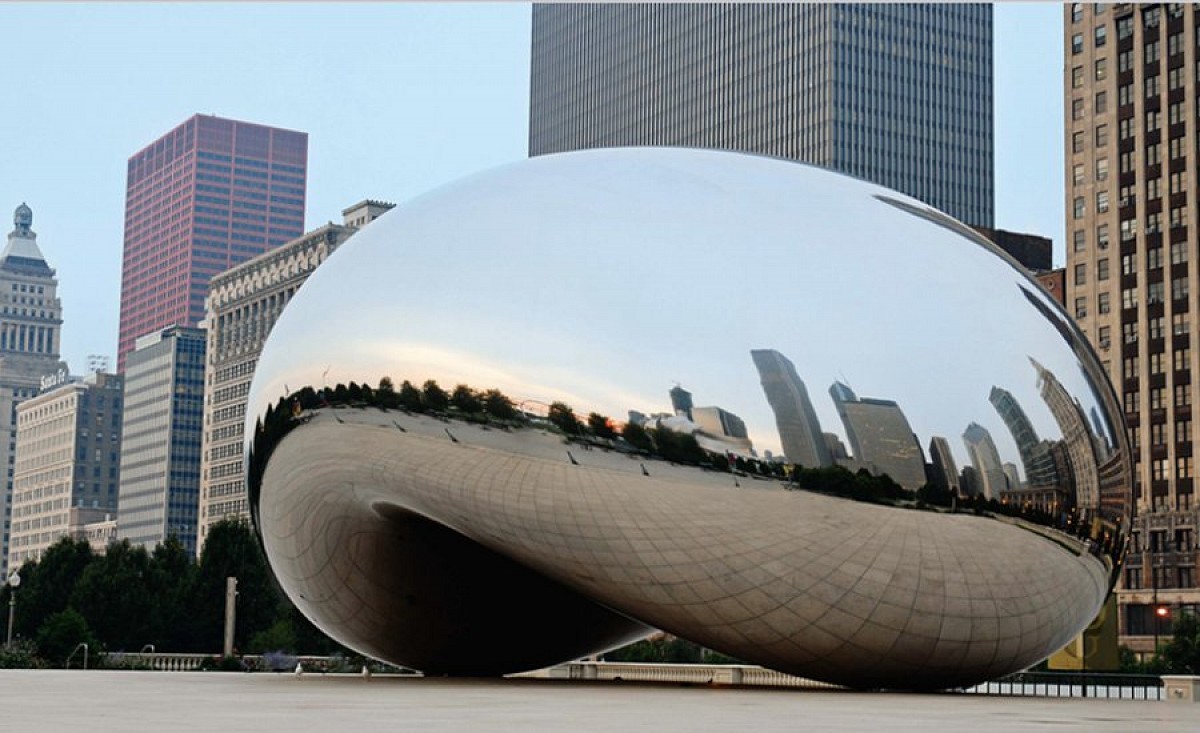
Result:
397,99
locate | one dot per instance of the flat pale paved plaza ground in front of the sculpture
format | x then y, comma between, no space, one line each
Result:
35,701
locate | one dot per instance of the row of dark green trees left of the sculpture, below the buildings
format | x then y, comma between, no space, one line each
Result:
129,599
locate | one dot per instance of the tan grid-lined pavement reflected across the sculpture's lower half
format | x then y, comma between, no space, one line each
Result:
817,586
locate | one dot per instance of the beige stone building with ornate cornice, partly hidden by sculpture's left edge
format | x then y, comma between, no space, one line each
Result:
244,304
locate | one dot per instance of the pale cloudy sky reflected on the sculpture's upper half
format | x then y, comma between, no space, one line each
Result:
687,272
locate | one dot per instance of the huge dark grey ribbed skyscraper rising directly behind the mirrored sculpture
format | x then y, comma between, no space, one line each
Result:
898,94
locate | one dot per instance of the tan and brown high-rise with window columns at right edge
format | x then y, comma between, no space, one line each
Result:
1131,175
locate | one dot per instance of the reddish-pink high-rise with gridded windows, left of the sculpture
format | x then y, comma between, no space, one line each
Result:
205,197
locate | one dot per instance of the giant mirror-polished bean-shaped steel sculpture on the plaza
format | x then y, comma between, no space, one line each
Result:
790,416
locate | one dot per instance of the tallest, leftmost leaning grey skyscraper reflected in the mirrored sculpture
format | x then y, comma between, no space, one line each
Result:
800,431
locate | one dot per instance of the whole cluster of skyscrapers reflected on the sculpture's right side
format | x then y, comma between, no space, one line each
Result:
1046,473
